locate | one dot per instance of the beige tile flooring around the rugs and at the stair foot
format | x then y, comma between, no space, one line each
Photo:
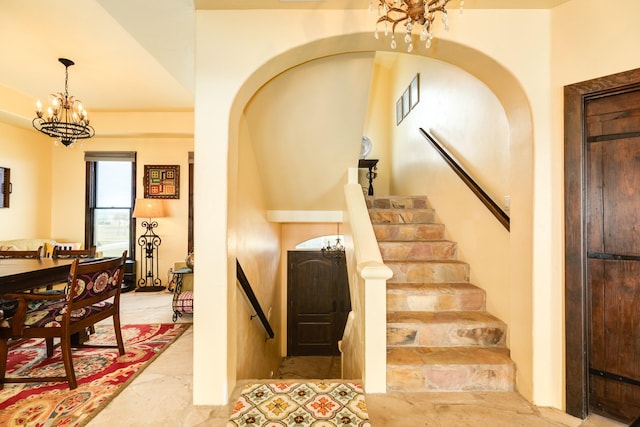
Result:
161,394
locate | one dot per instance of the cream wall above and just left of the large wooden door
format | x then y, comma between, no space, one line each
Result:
577,54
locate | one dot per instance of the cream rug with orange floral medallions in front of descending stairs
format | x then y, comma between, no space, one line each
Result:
317,404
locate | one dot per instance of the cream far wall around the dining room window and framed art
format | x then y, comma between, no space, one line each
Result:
68,178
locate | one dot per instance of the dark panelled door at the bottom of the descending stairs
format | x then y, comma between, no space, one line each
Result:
318,303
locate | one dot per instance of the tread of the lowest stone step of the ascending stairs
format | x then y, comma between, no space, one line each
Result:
414,356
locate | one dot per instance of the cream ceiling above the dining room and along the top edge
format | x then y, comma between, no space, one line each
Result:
130,55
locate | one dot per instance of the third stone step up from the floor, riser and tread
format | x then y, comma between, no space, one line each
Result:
435,296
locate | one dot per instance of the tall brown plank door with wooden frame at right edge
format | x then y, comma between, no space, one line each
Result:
602,246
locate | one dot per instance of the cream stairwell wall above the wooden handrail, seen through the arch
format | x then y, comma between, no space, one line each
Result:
462,114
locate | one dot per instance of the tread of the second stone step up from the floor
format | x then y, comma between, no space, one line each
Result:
433,317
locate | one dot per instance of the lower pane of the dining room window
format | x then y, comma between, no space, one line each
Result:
111,231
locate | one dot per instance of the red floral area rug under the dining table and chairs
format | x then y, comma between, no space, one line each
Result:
101,374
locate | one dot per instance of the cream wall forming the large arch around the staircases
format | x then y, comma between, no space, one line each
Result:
514,67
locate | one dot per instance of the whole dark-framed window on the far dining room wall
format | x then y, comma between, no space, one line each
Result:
110,199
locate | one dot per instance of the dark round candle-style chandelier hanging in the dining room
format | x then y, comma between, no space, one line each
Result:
65,119
